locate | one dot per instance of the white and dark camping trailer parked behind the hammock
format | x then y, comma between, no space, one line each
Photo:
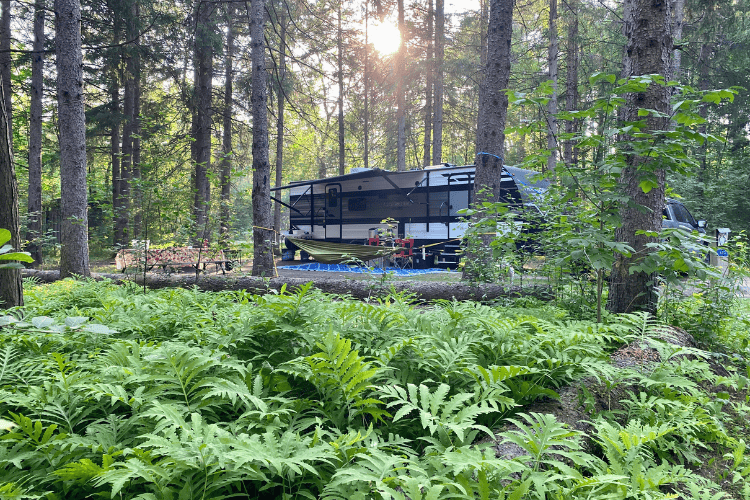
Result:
424,205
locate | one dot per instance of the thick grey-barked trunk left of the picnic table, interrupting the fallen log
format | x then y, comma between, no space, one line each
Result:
74,249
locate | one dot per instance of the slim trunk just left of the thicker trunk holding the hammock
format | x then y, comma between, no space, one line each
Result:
226,160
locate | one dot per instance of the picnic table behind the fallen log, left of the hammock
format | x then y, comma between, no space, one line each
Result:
170,259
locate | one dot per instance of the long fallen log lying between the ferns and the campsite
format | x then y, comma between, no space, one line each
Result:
358,289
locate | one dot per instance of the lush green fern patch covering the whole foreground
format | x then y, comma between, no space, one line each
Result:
107,392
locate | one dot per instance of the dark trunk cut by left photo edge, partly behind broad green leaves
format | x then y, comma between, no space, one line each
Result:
11,287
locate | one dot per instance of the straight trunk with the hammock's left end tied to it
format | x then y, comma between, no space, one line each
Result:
262,220
